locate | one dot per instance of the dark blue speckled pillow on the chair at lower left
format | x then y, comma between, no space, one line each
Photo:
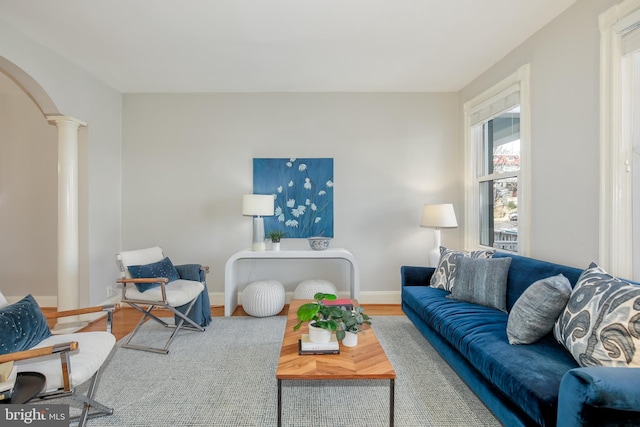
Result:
22,326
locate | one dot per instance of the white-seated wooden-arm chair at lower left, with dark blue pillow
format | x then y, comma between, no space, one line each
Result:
66,360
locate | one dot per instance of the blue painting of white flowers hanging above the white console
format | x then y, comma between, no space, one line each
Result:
303,195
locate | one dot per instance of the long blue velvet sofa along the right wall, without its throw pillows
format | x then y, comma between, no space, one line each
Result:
522,385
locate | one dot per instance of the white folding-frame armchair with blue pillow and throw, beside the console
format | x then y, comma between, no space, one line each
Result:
149,280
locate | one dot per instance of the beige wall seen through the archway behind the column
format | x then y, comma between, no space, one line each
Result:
28,194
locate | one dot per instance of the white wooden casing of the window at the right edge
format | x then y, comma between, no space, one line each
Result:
616,193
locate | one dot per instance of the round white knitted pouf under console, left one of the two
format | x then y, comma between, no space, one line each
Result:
263,298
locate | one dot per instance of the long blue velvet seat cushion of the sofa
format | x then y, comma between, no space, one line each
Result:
479,334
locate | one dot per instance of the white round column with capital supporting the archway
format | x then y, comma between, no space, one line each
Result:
68,245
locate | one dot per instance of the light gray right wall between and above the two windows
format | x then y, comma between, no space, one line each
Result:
564,58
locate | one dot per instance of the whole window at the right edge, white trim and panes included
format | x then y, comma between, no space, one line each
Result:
619,140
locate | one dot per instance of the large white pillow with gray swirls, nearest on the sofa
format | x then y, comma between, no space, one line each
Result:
600,325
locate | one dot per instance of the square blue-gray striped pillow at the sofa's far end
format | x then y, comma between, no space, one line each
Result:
482,281
